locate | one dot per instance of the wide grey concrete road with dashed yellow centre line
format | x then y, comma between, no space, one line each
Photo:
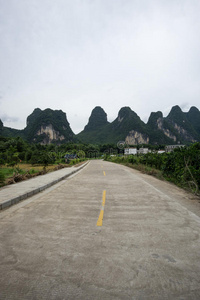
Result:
108,232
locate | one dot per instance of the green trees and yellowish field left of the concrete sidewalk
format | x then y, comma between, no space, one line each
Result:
18,157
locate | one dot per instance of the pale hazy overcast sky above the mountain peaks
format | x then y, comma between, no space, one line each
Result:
76,54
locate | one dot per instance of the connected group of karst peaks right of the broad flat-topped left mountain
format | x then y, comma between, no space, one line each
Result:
177,127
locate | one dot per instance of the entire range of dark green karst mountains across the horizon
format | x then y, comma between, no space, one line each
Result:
51,126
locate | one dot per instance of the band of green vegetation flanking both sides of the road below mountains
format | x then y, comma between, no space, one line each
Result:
182,166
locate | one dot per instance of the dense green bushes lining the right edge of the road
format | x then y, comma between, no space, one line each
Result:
182,166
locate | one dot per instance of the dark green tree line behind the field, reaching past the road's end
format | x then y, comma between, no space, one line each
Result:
15,150
